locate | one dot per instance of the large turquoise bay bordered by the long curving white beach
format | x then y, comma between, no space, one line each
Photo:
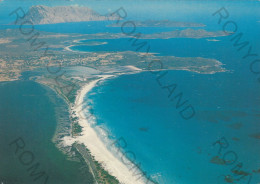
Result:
137,109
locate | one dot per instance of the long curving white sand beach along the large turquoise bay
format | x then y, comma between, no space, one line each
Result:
98,149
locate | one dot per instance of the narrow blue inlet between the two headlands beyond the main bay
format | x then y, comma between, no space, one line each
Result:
182,47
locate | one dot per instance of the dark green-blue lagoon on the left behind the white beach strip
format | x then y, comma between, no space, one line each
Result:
27,115
